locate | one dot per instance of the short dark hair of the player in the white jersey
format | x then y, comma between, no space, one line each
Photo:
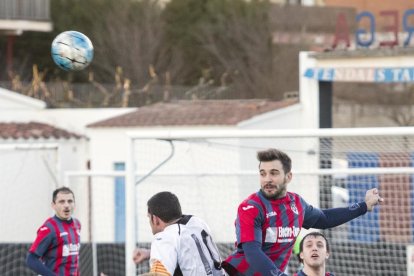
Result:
165,205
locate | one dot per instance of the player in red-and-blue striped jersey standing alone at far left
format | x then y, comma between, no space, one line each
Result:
55,250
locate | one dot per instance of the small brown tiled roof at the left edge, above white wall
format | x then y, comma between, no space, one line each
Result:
34,130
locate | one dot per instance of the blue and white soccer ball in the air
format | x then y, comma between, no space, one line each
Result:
72,51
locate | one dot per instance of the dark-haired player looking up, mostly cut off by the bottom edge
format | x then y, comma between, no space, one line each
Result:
313,253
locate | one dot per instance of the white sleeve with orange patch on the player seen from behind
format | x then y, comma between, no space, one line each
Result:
163,257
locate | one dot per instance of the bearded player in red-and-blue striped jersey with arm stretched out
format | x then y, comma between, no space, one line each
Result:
269,221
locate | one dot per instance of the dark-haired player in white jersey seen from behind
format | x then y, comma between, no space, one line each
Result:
182,244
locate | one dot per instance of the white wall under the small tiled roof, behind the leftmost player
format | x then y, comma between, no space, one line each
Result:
28,178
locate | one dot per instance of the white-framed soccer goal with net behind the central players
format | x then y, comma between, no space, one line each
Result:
211,171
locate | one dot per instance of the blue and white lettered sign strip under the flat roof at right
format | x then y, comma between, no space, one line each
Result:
386,75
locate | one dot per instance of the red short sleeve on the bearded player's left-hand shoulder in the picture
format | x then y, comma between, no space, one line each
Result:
249,222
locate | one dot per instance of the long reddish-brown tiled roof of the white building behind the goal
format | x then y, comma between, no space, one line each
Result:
195,113
